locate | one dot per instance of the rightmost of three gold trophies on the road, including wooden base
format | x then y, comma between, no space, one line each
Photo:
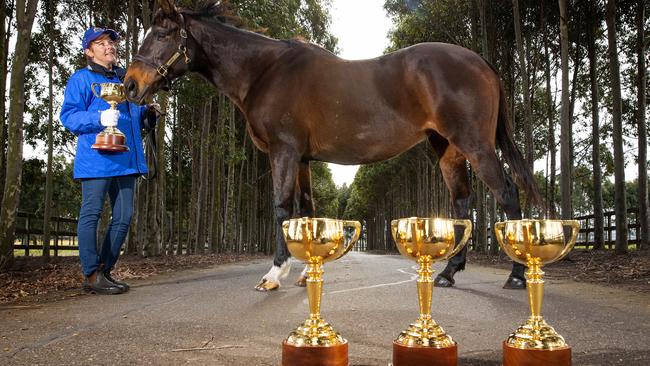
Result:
535,243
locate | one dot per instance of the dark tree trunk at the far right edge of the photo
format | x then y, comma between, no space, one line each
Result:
643,233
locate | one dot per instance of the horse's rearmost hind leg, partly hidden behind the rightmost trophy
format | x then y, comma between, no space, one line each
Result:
490,171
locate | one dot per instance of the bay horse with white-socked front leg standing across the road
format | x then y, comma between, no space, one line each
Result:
303,103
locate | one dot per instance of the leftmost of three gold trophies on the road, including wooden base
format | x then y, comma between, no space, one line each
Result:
316,241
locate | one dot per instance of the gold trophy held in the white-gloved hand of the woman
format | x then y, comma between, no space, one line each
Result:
111,139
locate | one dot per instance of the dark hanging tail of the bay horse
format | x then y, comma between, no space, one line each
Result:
512,155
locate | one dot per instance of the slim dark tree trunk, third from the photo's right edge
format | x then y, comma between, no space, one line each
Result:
595,131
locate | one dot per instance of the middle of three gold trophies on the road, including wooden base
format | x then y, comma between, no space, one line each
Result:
427,240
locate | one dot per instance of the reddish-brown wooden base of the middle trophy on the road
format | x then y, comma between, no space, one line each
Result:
424,356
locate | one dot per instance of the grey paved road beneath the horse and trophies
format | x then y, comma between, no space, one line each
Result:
369,299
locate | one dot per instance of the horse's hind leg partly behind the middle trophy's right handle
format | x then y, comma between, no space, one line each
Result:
454,172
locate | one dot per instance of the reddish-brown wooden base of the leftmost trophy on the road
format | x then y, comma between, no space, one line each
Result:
314,355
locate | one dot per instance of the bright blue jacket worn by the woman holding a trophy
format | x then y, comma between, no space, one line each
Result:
80,115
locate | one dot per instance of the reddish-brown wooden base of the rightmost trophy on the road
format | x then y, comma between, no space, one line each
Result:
532,357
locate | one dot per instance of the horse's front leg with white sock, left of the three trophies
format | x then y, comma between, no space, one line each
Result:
284,168
